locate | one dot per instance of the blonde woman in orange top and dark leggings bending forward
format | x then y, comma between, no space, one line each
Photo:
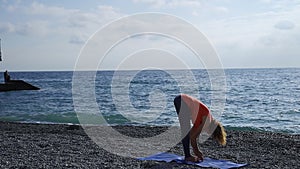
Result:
190,109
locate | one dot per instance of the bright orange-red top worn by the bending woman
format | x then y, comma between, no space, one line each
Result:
197,109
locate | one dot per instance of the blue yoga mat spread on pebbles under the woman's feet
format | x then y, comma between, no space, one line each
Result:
207,162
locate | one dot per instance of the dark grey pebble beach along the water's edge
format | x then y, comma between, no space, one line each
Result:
64,146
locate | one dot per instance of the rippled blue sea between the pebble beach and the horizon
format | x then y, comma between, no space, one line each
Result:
254,99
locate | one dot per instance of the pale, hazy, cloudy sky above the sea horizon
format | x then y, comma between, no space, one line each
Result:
50,35
